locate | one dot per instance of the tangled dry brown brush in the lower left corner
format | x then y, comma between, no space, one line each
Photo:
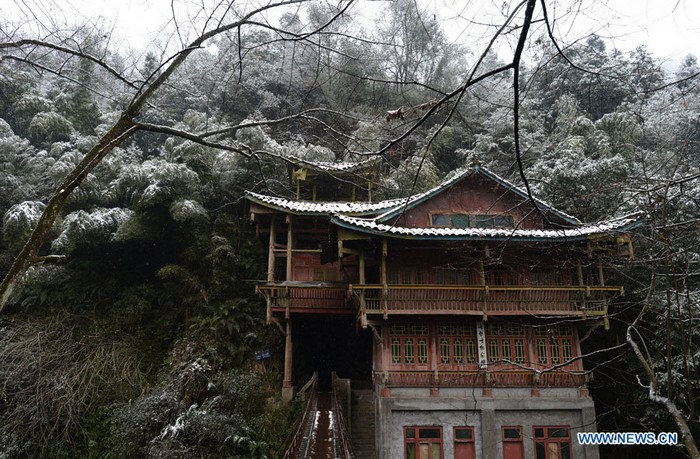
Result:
55,374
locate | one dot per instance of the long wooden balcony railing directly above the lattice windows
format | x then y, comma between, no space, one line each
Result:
483,299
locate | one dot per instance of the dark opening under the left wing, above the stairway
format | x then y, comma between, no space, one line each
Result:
330,343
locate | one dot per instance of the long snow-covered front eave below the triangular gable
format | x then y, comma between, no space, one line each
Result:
374,226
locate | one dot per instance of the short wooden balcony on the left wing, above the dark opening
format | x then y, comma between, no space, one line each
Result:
308,297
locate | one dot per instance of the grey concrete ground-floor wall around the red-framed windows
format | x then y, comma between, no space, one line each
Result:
486,413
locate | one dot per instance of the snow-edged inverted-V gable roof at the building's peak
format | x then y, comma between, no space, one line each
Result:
482,171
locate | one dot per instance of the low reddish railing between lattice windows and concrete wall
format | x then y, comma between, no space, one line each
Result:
481,378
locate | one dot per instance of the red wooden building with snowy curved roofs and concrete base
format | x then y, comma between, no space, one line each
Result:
458,309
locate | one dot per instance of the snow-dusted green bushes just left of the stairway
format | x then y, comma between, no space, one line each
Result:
203,412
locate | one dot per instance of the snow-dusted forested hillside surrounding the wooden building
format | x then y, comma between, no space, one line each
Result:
131,330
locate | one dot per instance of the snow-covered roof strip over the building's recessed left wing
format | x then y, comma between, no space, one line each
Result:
324,207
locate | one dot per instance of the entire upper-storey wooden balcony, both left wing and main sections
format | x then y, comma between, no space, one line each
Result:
384,300
